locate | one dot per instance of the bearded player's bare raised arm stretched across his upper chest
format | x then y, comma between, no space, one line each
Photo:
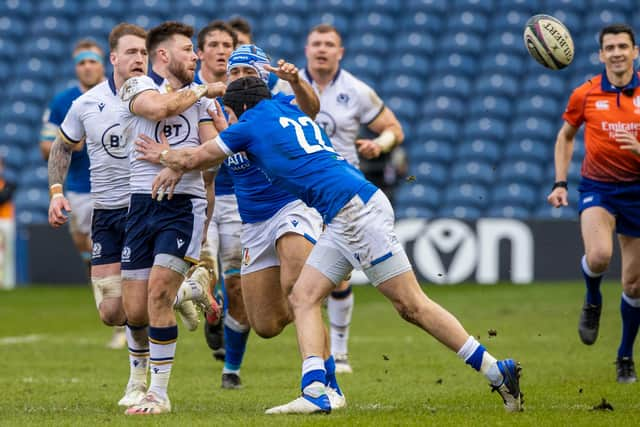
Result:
156,106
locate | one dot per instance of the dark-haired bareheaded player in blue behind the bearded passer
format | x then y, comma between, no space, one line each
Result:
227,339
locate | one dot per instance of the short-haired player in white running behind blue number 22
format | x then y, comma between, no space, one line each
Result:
345,104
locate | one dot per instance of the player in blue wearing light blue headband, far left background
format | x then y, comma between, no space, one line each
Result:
88,57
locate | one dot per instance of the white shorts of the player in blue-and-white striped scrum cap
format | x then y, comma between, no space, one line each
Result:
259,239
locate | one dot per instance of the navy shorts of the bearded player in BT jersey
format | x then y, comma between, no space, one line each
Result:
173,227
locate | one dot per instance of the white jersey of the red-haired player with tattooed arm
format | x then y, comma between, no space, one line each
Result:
95,116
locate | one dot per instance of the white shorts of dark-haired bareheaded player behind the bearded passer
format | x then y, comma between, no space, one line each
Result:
223,235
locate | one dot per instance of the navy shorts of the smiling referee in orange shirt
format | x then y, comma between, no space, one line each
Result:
621,199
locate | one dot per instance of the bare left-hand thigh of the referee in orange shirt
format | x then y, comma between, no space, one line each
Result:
597,226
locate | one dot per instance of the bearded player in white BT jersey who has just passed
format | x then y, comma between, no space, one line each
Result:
164,236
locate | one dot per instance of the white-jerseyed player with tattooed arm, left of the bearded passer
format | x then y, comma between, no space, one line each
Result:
94,121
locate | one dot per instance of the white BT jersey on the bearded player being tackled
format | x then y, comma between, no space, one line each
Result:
181,132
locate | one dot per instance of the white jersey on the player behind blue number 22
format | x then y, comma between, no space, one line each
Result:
345,104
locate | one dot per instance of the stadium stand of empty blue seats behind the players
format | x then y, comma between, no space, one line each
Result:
480,137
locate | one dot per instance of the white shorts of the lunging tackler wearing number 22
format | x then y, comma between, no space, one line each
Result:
361,236
